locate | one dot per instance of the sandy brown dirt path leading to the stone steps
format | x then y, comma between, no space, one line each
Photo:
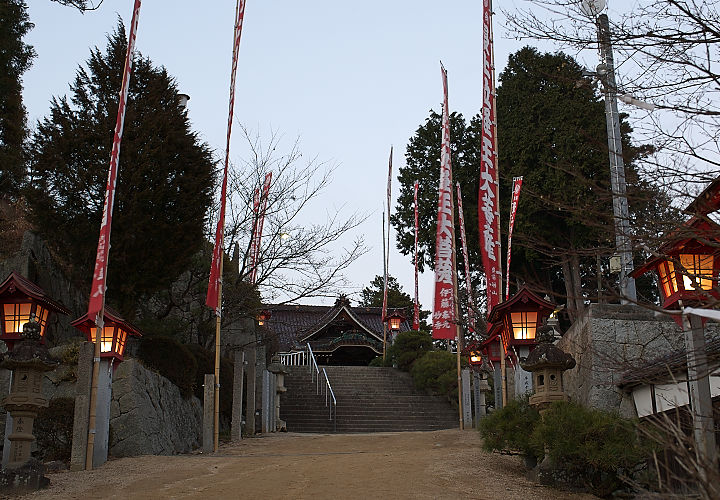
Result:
409,465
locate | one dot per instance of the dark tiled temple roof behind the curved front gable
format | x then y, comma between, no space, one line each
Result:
292,323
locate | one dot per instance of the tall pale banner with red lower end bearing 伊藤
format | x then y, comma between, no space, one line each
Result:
444,324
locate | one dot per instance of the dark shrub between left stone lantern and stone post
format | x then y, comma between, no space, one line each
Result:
53,430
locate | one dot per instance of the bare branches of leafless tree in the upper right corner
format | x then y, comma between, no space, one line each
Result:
667,54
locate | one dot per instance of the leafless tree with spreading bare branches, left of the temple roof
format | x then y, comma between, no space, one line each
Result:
298,259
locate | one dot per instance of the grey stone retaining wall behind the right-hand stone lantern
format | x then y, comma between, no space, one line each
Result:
609,340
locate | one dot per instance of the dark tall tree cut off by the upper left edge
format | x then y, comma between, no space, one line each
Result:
15,58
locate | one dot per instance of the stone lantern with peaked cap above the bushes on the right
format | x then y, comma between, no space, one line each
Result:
547,362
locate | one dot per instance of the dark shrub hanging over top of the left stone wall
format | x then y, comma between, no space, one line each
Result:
170,359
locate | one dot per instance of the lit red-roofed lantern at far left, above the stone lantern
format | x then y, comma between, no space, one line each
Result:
20,299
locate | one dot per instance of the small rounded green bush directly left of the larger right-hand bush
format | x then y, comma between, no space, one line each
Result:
509,429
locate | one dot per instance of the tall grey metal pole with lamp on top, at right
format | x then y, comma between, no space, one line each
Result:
621,212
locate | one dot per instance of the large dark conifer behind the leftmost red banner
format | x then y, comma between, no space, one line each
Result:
165,180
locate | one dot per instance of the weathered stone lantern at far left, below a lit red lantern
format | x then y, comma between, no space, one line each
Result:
27,362
